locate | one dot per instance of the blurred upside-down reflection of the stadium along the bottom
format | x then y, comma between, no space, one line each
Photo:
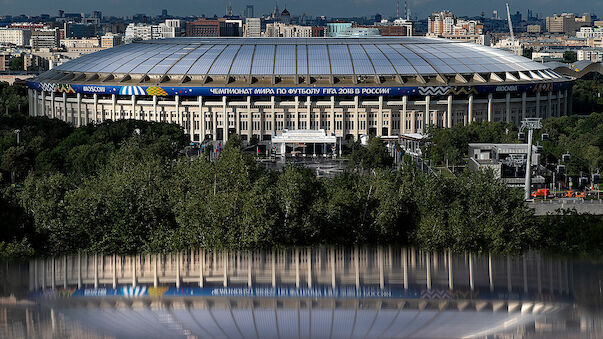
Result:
302,293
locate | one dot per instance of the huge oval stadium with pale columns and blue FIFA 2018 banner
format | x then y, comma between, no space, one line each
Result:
258,87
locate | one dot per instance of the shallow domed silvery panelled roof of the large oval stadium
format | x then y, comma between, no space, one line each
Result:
307,60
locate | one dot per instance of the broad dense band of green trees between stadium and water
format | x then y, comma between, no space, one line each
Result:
127,186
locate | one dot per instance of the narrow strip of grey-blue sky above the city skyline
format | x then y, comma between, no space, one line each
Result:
420,8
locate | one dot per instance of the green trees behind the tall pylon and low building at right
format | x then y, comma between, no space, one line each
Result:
580,135
